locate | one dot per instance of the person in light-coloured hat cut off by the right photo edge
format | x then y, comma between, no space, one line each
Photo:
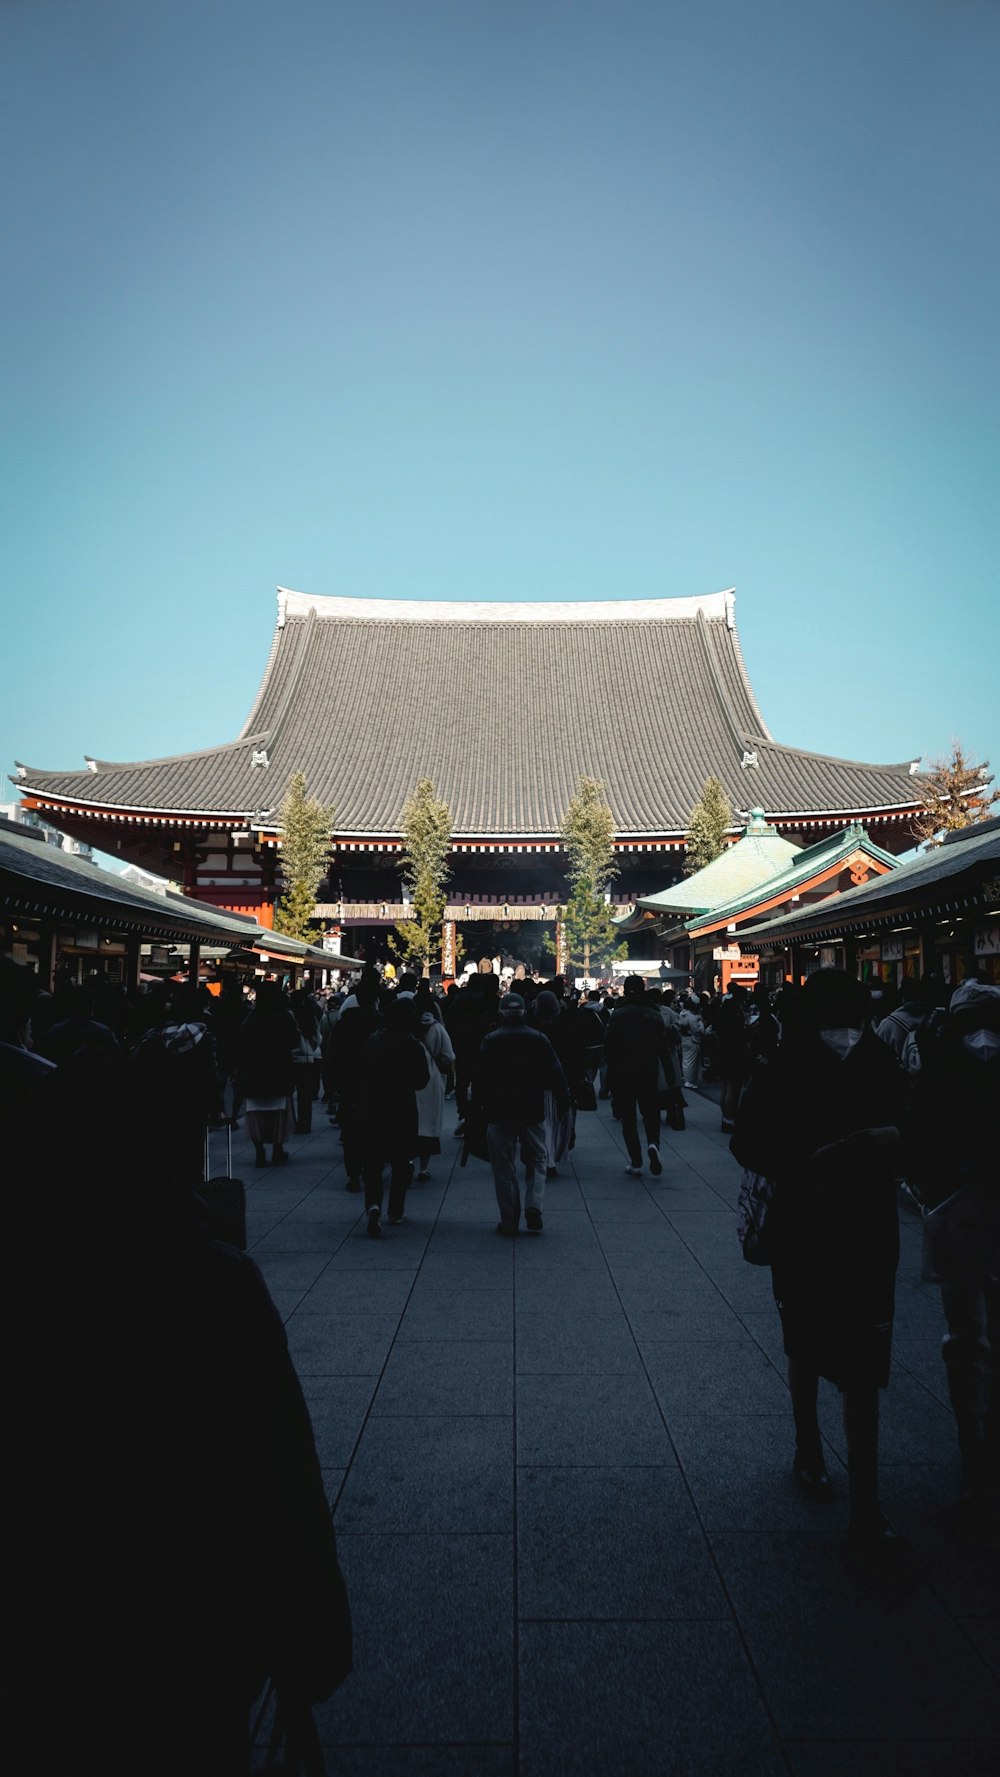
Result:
953,1168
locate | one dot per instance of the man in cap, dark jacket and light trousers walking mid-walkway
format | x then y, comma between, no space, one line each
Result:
514,1071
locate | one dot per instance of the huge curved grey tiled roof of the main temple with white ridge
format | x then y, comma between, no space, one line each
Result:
504,708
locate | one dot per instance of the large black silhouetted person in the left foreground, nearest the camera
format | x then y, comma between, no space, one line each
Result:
194,1556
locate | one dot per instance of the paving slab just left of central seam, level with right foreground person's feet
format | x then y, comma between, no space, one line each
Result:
431,1474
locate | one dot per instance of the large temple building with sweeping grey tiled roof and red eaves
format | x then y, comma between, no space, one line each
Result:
505,708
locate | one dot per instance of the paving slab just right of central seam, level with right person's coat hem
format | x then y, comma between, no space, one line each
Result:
567,1421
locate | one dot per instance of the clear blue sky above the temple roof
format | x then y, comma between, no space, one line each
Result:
498,299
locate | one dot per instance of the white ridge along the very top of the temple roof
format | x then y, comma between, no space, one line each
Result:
713,605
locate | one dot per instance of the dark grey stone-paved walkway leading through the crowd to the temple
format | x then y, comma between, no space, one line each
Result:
560,1479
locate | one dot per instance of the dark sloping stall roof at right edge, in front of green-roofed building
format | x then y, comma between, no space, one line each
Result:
962,875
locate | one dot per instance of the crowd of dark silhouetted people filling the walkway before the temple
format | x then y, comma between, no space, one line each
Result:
830,1092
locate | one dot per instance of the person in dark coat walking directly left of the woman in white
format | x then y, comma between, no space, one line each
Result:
395,1067
